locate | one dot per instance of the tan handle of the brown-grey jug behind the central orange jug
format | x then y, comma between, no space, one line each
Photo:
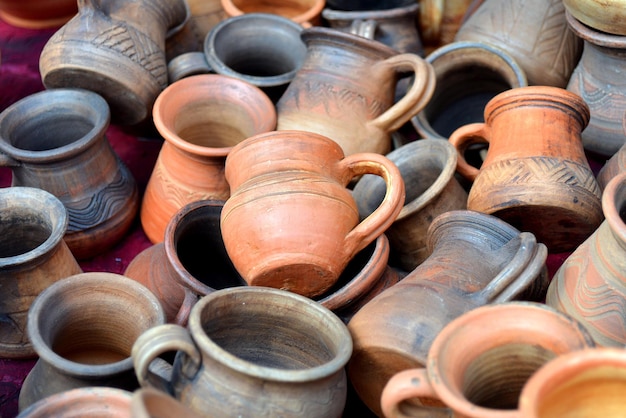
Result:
417,96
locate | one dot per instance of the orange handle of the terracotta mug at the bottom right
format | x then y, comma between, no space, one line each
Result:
407,384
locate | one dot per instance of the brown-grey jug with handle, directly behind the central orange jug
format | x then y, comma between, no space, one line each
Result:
345,90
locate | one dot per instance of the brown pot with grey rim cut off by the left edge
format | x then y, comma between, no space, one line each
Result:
33,256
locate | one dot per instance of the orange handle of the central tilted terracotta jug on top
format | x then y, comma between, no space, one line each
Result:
386,213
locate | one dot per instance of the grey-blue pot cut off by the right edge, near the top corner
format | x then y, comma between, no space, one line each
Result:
598,80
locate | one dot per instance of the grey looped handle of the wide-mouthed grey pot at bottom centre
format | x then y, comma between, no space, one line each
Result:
157,341
